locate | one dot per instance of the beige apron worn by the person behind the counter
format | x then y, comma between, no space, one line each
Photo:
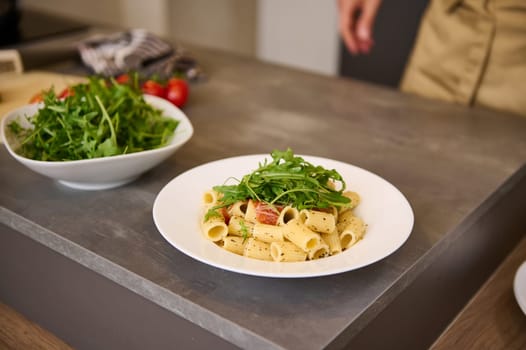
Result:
471,52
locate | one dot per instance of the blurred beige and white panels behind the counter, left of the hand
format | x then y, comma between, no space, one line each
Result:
300,33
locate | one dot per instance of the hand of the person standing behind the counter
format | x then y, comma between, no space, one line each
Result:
356,19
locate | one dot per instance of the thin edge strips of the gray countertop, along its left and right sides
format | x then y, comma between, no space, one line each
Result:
225,328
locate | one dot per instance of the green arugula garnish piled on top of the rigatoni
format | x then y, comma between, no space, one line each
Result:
286,180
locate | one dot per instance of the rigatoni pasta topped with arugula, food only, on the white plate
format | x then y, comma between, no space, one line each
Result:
268,216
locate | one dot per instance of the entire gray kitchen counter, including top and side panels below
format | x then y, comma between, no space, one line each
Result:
92,267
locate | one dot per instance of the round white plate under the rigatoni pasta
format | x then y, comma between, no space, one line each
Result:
178,208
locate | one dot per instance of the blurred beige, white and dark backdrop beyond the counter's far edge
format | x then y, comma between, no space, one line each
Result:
298,33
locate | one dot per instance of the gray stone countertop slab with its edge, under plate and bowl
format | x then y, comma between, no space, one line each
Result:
446,159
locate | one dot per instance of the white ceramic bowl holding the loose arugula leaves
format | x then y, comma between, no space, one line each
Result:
105,172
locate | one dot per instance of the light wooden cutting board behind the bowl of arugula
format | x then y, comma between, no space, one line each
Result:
16,89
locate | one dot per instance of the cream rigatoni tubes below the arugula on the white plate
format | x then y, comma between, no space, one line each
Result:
295,236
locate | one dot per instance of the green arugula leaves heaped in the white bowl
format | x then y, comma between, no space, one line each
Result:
98,118
